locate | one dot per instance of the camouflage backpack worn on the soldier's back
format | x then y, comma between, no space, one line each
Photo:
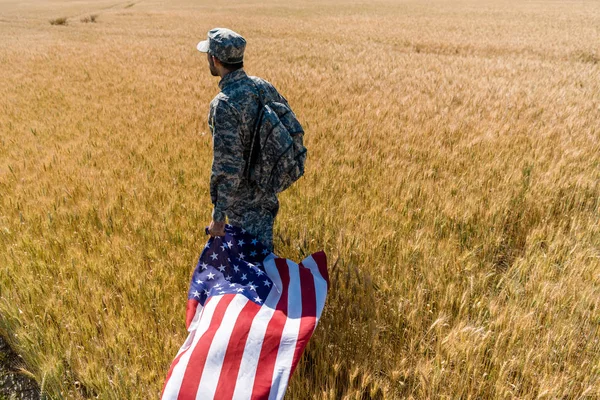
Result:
277,153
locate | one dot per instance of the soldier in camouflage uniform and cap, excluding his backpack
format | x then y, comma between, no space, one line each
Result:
232,117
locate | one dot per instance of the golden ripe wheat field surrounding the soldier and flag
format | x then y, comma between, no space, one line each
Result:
453,181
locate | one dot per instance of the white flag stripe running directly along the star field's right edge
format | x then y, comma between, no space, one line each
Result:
245,381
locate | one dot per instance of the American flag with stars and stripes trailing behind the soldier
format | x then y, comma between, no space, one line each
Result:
250,315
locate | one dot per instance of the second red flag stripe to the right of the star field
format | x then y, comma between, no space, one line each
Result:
309,313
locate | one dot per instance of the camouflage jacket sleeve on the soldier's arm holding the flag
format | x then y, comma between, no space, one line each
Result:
227,166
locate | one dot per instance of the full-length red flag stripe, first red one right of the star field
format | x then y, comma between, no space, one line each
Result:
270,347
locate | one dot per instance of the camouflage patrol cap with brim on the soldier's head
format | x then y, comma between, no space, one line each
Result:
225,44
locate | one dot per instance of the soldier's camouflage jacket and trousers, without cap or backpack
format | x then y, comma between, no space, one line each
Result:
231,118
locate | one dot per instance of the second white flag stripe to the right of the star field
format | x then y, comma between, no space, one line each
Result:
289,336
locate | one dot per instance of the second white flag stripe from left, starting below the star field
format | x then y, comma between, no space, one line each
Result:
218,348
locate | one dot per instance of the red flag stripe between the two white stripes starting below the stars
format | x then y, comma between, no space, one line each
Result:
195,367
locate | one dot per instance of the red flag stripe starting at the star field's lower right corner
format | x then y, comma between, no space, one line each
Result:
235,351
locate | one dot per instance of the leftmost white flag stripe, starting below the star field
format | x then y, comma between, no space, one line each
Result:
174,384
